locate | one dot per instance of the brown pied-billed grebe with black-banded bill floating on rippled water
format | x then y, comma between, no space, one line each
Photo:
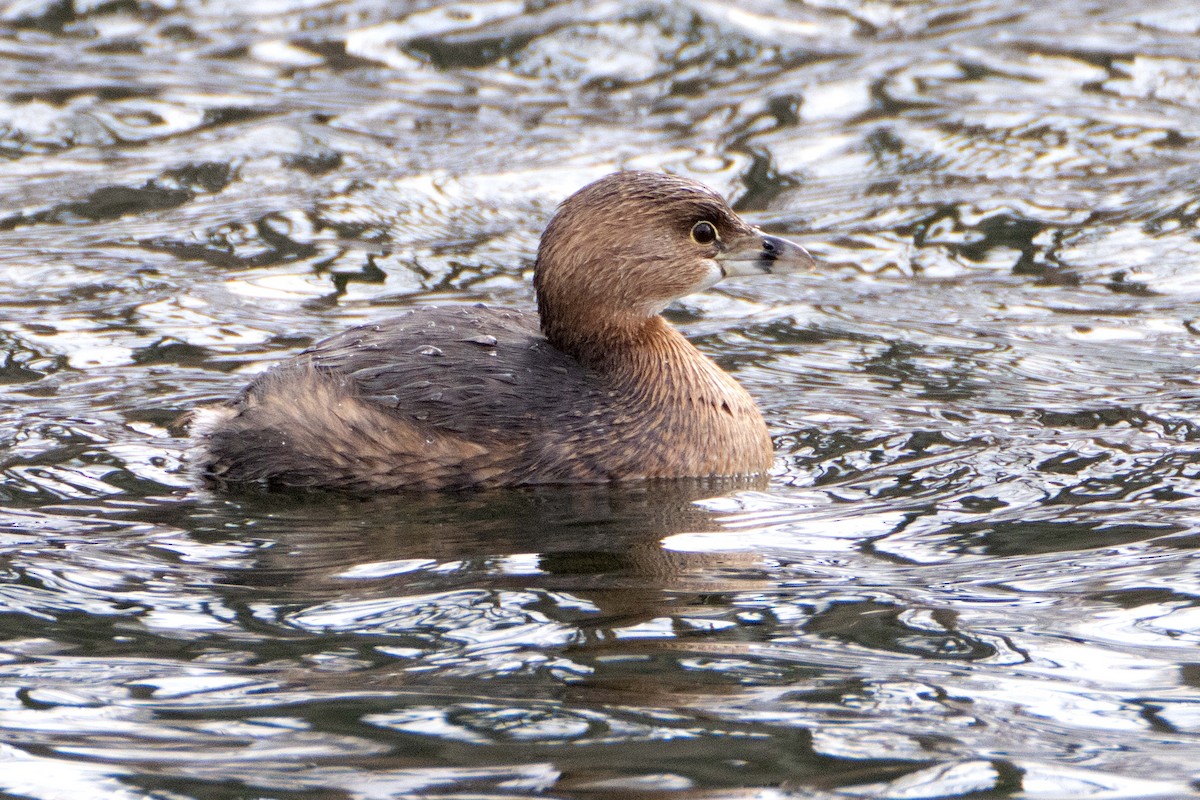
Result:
458,398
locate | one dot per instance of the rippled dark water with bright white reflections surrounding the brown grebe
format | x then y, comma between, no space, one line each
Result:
975,572
